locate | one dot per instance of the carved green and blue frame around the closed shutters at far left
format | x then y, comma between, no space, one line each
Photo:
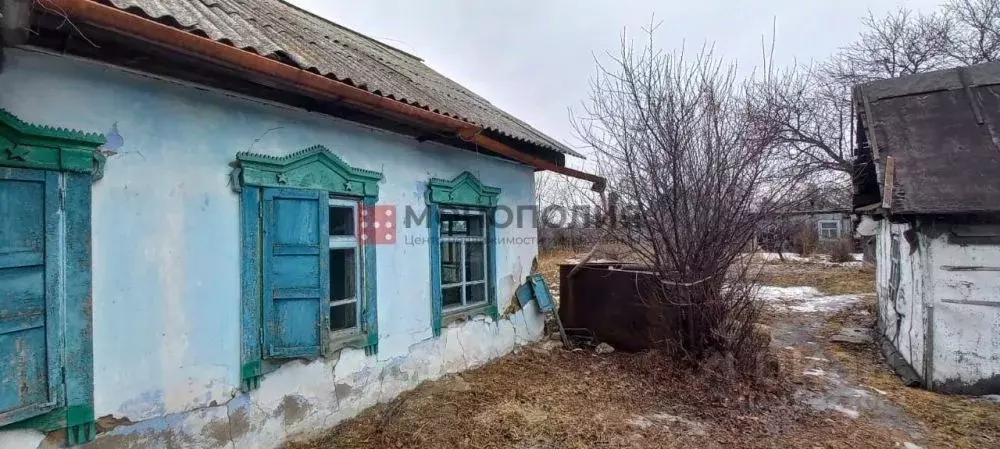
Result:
76,158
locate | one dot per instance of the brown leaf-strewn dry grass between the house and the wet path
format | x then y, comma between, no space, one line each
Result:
559,399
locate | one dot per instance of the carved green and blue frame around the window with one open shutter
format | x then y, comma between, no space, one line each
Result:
314,168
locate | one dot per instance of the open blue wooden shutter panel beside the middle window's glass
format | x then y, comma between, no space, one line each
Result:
296,274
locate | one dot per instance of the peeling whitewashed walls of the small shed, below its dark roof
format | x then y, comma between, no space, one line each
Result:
952,288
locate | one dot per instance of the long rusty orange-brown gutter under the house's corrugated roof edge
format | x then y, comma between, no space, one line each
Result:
317,85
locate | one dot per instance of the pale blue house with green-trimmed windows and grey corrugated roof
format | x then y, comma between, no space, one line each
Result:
231,223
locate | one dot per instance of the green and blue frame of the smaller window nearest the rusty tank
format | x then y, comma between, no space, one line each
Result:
464,192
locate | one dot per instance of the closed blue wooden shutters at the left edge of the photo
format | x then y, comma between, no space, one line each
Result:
30,370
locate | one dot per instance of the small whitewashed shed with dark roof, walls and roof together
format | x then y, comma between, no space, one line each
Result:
926,180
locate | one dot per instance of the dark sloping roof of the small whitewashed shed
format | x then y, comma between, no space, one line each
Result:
942,130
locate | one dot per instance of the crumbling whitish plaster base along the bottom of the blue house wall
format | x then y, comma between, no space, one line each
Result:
301,399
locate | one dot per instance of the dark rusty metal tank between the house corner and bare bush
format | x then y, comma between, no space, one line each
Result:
608,302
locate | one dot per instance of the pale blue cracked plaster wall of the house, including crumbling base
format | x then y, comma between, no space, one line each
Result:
166,262
